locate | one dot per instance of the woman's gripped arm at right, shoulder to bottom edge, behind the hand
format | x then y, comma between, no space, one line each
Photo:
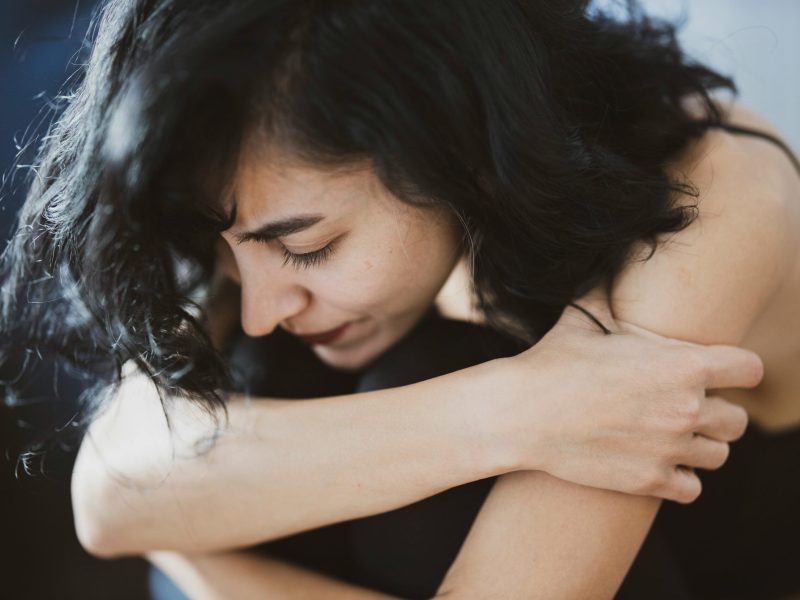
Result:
541,537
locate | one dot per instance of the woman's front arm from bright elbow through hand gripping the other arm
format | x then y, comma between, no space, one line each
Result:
282,467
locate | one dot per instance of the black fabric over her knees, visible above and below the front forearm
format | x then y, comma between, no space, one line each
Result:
404,552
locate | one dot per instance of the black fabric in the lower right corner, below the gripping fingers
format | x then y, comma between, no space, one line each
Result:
740,540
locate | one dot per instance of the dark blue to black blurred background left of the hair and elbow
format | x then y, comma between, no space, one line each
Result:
39,43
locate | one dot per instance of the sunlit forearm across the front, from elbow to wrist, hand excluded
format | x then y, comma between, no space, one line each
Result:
268,473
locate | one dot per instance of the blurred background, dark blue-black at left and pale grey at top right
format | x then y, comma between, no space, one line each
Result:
41,44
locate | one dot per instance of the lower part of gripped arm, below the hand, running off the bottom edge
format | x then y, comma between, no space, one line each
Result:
540,537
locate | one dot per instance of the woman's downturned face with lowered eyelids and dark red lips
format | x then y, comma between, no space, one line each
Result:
372,266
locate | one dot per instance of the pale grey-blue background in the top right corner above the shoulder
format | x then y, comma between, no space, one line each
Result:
757,42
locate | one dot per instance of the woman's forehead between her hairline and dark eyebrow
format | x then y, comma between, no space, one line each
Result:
270,183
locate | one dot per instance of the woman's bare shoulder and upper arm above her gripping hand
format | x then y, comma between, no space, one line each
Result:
709,282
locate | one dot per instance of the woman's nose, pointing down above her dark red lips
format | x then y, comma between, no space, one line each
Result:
269,296
